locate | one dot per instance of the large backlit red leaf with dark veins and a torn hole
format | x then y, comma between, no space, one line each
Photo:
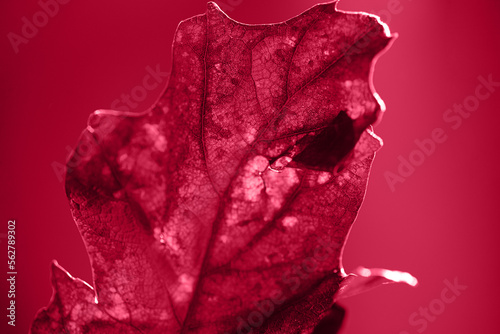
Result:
225,206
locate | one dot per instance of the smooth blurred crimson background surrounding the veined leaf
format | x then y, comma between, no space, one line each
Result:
441,223
